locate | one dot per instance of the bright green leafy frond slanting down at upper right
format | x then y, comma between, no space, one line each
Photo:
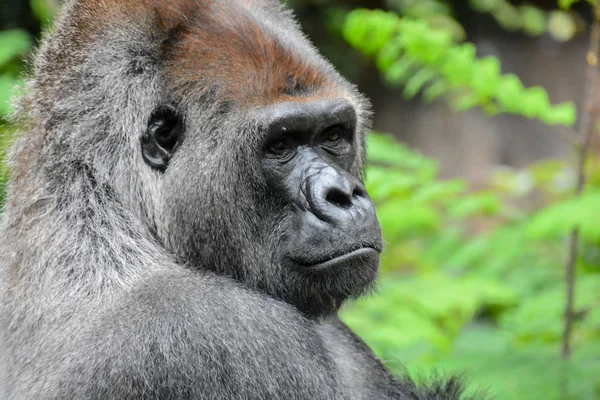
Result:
413,55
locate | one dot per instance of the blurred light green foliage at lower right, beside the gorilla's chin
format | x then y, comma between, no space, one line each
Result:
474,281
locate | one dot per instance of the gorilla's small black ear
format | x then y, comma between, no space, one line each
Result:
162,137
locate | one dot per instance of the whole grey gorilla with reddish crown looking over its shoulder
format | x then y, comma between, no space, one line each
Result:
186,213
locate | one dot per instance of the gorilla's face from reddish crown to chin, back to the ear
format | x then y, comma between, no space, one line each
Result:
259,154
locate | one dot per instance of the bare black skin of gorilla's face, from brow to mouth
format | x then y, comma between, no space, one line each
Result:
309,150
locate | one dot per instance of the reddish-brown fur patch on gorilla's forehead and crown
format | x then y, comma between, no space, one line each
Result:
224,45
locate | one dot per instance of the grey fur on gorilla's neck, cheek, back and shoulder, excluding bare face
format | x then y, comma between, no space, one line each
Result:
119,282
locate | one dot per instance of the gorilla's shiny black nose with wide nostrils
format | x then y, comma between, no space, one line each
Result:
337,198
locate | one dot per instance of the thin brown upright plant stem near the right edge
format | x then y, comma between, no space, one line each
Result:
586,132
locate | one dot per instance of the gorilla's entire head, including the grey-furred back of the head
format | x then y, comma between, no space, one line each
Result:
244,148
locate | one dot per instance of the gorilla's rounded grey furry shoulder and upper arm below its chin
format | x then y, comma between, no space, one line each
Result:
185,336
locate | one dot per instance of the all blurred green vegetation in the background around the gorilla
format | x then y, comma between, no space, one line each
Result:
473,280
